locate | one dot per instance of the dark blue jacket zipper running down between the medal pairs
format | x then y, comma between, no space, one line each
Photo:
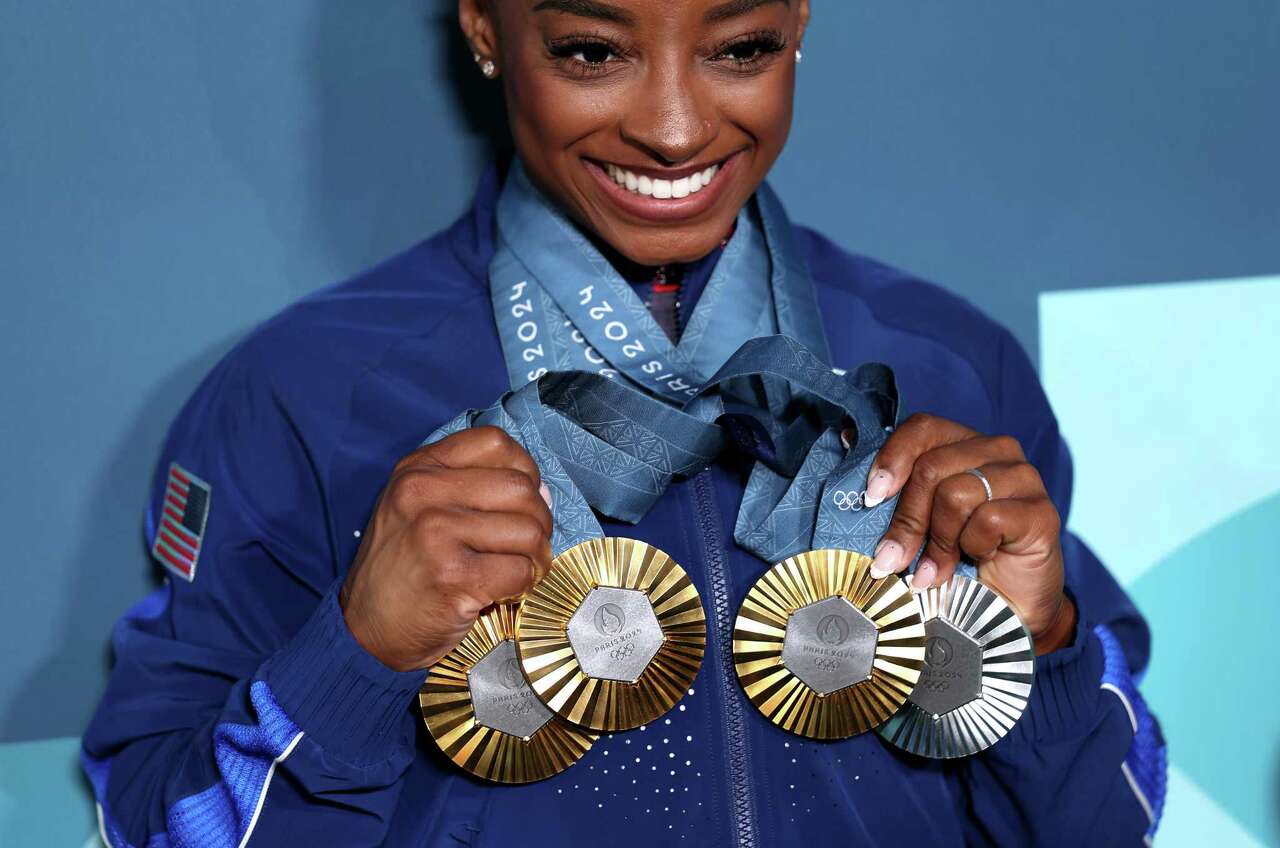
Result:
742,800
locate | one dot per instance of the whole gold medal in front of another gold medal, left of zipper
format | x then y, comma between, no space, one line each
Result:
614,636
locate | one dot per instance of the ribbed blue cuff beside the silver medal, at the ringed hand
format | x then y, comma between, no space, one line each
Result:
1064,703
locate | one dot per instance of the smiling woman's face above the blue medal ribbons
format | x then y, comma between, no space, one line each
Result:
650,121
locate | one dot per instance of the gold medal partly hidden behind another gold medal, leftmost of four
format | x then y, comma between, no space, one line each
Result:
482,712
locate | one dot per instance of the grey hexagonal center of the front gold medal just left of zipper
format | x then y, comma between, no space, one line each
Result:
615,635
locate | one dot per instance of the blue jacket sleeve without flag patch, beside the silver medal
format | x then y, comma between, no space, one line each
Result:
1086,764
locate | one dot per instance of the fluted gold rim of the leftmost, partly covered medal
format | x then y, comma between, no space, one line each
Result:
492,755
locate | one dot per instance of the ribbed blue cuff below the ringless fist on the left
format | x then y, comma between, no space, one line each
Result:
341,697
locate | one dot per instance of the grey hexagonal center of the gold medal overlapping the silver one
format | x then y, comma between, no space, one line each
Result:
830,645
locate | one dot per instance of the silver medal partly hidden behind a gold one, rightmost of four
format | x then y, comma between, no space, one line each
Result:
980,665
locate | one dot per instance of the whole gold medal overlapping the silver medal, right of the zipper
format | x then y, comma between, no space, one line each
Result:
826,651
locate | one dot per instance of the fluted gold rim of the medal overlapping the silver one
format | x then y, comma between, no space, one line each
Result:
761,630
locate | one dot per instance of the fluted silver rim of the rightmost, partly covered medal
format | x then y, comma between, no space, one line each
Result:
1008,676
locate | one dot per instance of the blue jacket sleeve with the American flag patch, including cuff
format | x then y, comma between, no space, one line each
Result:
239,697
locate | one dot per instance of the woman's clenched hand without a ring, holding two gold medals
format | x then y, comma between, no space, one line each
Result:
463,525
